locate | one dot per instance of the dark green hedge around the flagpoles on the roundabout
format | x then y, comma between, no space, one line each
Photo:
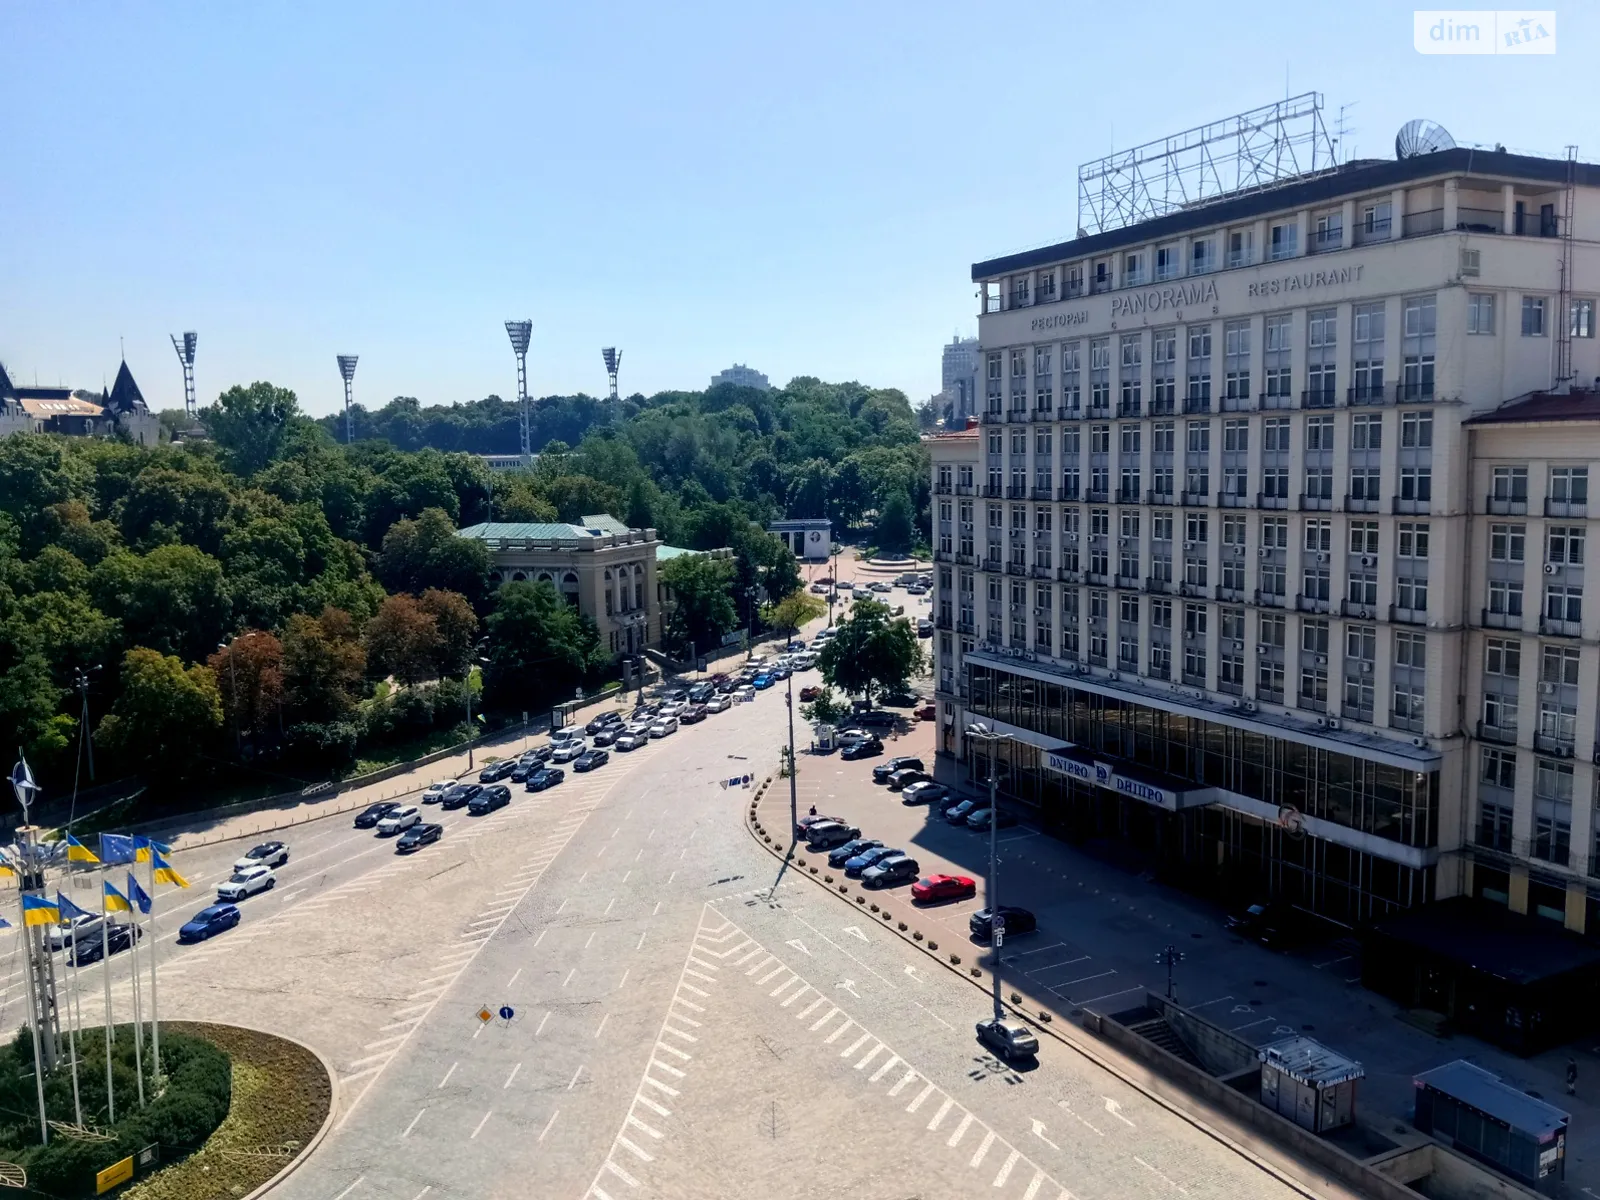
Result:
194,1102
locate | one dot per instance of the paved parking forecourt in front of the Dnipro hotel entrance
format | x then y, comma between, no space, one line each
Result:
1102,927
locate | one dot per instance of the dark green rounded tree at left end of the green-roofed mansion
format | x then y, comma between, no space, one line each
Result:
540,647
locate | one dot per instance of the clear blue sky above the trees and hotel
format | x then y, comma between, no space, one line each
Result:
801,188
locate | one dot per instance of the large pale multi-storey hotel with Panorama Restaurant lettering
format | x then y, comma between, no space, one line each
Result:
1268,548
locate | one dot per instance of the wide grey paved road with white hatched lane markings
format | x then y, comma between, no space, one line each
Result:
681,1023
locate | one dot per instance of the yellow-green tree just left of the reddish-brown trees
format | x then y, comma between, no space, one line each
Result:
164,716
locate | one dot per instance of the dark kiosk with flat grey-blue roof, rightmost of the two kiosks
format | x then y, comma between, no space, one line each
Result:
1476,1113
